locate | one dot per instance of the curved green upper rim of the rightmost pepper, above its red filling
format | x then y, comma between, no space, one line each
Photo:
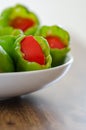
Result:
54,31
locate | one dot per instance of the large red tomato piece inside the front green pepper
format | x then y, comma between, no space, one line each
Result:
32,50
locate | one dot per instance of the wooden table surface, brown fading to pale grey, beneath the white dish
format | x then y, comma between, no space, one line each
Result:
61,106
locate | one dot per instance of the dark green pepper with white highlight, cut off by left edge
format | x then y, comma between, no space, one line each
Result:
6,63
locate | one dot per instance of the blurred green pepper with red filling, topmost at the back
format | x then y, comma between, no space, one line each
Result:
12,16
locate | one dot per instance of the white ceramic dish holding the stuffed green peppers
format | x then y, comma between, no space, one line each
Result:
19,83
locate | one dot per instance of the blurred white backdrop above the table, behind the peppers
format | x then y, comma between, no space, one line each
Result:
70,14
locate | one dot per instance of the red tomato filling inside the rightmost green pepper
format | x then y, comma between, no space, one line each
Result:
55,42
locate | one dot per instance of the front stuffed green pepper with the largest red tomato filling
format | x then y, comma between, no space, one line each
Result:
31,53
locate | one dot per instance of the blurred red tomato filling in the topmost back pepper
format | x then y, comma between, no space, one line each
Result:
21,23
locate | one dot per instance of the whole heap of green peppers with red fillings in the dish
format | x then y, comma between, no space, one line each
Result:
48,47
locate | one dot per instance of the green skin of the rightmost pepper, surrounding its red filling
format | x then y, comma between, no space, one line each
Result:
58,55
